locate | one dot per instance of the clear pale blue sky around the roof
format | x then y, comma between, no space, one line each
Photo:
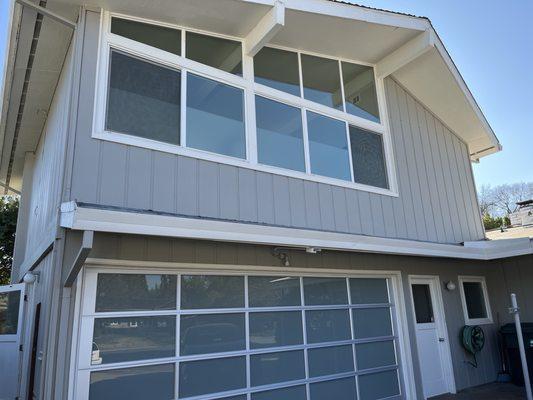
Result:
491,42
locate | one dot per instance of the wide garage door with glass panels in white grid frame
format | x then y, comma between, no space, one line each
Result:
236,337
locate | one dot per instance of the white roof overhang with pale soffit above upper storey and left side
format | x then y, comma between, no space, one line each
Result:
403,46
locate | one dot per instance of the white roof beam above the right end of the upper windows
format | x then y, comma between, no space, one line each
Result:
403,55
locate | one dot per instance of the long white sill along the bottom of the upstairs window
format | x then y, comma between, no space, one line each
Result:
218,158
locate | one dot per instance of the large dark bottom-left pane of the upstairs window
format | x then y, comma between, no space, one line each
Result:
143,99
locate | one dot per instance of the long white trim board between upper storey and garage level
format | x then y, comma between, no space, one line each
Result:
78,217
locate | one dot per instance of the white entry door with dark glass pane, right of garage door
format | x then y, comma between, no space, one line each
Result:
431,336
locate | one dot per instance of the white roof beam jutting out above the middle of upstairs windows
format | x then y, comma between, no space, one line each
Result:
265,30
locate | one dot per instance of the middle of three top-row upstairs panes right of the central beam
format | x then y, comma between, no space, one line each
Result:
321,81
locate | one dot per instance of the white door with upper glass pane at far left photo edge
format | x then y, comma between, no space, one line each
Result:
11,309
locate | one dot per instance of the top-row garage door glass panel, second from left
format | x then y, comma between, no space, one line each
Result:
211,291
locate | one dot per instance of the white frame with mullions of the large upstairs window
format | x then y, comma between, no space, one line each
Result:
107,41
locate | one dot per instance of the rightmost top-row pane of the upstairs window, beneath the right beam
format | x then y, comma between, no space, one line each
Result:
360,91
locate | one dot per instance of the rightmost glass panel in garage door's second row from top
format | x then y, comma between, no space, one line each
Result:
371,322
